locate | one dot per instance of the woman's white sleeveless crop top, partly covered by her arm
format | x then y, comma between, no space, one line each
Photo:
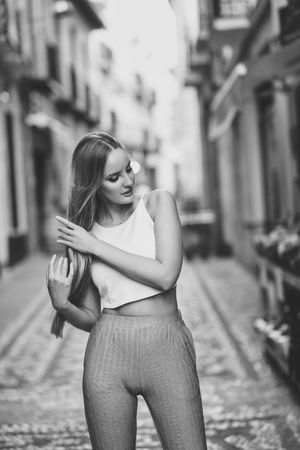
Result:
135,235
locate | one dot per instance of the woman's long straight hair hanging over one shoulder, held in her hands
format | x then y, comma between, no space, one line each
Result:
88,162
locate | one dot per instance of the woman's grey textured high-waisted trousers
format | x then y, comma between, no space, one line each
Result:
152,356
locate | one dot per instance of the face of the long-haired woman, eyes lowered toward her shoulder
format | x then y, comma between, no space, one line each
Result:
118,178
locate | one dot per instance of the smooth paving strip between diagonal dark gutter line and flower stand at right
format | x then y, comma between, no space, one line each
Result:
234,292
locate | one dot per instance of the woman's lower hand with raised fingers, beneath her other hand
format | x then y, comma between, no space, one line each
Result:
59,283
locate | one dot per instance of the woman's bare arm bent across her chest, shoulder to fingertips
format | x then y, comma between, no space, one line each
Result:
161,272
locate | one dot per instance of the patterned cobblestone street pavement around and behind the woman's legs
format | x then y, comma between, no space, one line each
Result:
246,405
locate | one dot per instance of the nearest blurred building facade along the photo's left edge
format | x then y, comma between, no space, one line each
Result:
14,157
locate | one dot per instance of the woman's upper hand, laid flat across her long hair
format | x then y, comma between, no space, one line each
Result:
74,236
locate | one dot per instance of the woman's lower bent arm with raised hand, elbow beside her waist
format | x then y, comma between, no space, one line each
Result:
85,315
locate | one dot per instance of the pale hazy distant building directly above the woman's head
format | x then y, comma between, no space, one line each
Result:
126,99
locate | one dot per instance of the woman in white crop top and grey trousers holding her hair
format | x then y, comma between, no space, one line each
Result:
126,250
